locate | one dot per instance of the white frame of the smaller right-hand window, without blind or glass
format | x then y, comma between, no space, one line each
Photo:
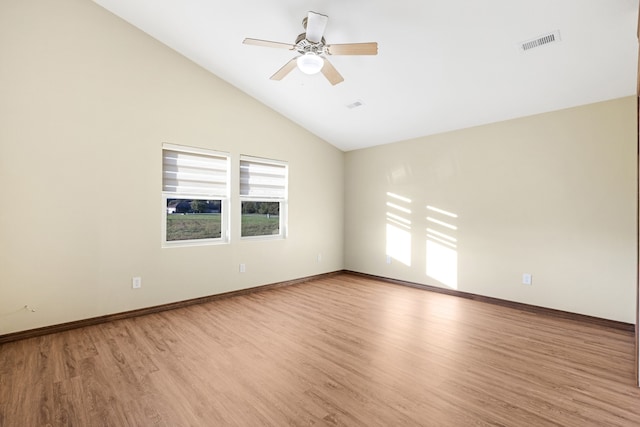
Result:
282,200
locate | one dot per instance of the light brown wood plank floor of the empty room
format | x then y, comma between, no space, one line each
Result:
344,350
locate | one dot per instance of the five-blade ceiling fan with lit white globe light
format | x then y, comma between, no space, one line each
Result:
312,49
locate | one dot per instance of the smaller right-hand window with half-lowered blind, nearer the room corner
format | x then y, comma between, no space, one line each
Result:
263,197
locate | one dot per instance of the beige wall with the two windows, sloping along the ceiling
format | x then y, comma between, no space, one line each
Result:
86,102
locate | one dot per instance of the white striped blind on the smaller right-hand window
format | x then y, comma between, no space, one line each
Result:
263,179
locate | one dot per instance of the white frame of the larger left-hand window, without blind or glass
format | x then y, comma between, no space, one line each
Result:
222,196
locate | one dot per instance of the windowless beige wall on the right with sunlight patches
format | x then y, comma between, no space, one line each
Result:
553,195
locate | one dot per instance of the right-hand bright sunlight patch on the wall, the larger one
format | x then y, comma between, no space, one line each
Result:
442,247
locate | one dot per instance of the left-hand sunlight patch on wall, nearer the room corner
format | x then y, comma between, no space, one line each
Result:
399,228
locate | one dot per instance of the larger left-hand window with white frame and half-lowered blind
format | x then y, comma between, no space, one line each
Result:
195,193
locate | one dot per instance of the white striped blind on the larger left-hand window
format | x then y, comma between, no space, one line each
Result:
194,173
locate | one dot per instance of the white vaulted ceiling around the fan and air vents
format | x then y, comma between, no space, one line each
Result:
442,64
